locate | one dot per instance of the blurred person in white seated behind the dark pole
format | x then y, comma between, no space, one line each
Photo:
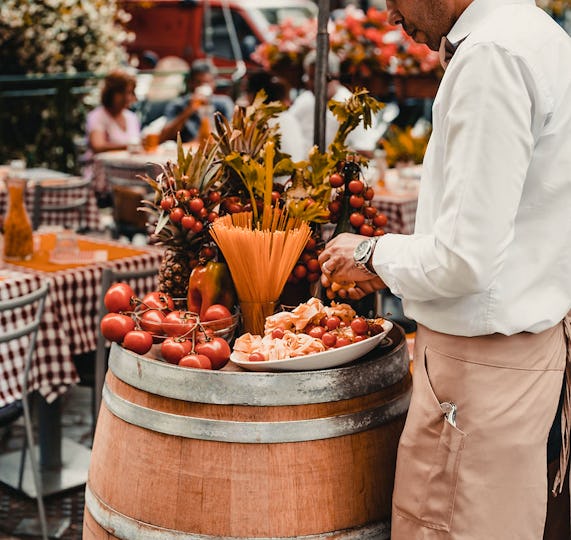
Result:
303,108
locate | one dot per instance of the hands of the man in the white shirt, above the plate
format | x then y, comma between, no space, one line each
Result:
338,266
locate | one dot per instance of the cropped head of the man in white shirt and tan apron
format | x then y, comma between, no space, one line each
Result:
426,21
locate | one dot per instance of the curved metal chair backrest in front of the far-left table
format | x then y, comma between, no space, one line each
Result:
69,195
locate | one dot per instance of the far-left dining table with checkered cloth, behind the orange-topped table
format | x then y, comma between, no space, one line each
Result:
91,218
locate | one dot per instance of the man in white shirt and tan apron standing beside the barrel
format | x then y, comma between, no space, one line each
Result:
486,275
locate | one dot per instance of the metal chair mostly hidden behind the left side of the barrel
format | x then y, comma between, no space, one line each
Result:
109,277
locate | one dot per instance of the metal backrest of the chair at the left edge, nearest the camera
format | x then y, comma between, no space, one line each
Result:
38,298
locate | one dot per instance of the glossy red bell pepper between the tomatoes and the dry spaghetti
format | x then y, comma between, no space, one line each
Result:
210,284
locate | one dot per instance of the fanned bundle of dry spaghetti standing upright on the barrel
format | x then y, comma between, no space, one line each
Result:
260,257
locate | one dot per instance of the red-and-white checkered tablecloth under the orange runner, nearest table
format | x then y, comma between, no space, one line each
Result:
69,326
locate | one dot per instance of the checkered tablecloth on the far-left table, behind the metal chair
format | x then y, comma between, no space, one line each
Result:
88,217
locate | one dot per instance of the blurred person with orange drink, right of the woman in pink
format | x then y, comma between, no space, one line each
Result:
188,113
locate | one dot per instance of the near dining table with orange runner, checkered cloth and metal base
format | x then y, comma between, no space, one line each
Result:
69,328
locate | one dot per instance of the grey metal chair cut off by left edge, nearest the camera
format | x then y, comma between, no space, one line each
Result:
30,329
